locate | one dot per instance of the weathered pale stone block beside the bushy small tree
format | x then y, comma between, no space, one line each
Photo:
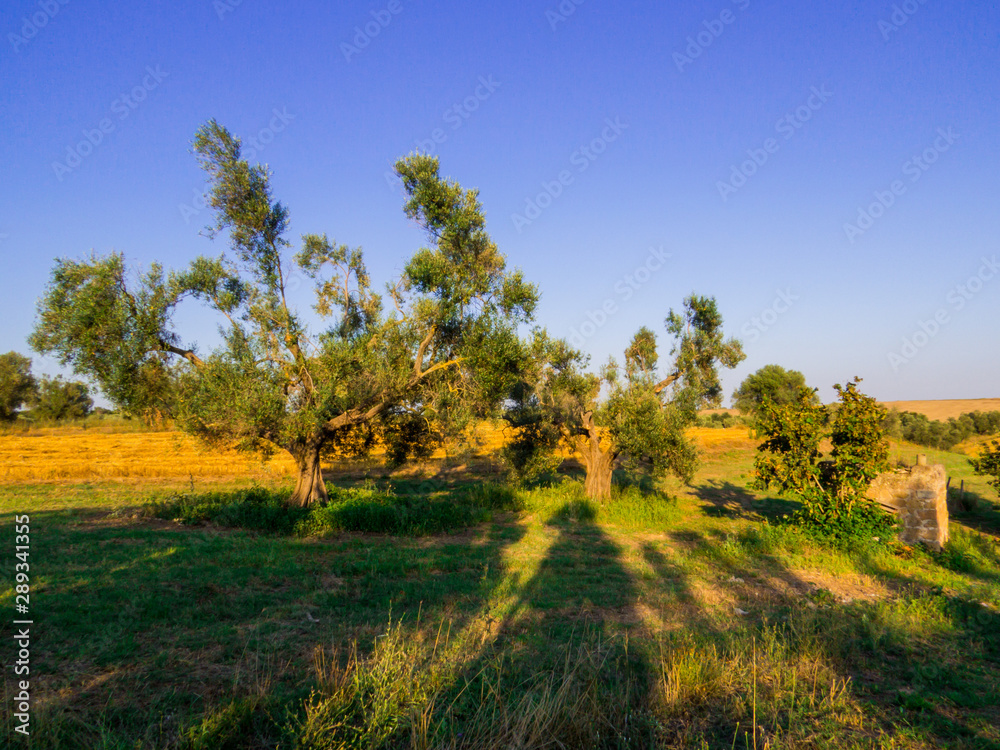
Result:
919,496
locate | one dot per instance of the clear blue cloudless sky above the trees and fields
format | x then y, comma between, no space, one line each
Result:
830,172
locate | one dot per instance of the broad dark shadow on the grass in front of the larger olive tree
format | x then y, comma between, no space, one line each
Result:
144,628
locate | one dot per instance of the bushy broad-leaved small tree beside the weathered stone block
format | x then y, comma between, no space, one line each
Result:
832,490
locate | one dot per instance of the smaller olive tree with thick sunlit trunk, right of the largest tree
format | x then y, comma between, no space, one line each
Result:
637,420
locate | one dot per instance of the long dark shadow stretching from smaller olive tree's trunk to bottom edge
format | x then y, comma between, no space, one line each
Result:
563,650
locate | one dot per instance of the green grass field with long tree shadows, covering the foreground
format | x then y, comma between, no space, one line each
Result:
166,616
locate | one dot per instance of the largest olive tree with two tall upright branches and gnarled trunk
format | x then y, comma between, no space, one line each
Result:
436,343
